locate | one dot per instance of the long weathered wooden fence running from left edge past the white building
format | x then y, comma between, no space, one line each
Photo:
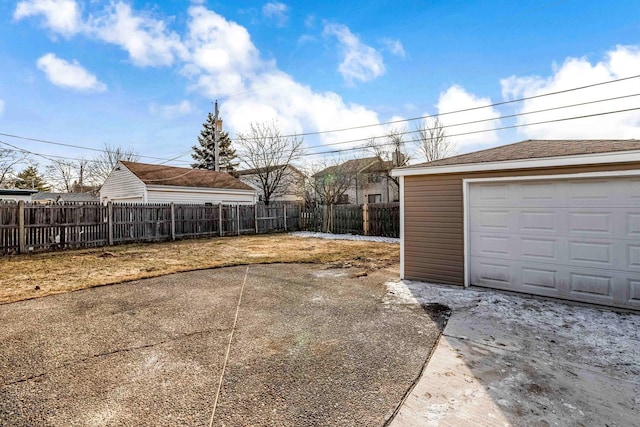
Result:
27,227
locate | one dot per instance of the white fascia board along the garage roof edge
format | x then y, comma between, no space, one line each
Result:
534,163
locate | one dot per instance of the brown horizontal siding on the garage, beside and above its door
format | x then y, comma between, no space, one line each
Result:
434,219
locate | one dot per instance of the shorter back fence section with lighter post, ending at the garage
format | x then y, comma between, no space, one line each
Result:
376,219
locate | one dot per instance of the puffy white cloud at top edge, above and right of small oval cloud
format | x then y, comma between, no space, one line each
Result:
146,39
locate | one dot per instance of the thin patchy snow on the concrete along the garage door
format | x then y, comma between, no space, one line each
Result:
599,337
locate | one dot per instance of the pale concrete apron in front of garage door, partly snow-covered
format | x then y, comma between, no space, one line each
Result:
511,360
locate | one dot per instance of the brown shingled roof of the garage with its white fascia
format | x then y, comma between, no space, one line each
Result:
533,153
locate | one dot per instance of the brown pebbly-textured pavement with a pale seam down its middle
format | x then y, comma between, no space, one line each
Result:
313,346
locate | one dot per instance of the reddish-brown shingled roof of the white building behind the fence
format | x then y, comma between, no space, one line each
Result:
184,177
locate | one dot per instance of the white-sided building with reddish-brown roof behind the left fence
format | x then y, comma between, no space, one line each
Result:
133,182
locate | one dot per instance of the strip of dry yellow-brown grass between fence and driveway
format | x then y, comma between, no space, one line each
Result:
30,276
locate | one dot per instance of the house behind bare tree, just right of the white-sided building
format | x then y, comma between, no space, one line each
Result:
291,188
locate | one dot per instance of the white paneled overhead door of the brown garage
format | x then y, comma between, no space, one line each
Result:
573,239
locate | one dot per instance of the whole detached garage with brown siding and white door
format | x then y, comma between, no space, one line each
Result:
553,218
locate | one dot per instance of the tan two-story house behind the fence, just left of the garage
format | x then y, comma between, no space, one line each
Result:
369,181
